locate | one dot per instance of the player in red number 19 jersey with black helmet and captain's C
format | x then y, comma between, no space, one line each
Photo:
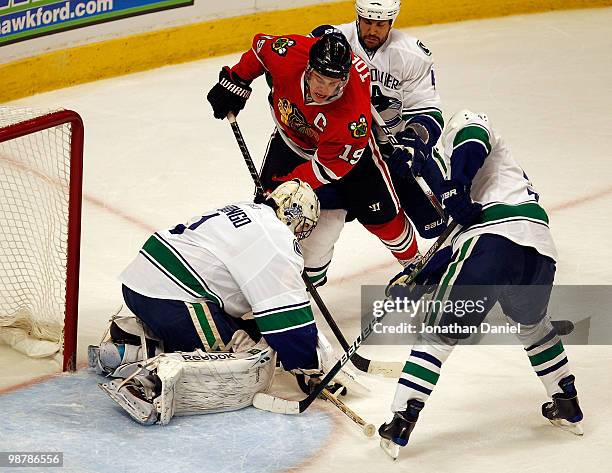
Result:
320,101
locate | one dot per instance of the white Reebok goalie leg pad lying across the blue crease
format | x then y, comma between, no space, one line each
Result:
195,383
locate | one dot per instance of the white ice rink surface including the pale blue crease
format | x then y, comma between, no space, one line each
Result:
154,157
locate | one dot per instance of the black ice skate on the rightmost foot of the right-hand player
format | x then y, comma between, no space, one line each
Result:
564,410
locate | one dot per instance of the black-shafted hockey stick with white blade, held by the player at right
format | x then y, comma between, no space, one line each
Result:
271,403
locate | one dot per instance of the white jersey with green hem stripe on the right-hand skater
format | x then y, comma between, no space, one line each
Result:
509,201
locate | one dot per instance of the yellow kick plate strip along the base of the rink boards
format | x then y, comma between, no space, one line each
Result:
154,49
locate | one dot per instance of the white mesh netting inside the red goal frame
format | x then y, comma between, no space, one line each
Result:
34,183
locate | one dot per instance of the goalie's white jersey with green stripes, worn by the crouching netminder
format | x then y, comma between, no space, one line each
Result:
240,256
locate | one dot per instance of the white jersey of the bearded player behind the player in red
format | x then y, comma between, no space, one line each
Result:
402,78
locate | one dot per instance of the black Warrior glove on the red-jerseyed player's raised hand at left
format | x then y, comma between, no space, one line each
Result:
229,94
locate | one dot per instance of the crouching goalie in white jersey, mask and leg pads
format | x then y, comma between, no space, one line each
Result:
189,288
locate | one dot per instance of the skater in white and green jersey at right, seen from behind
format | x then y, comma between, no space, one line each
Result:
504,252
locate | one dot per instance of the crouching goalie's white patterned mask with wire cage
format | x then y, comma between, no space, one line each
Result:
297,206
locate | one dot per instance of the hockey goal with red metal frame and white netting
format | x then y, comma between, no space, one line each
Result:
41,155
